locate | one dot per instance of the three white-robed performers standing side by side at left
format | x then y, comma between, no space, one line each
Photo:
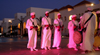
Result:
46,32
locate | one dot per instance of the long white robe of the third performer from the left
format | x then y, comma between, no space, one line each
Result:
57,34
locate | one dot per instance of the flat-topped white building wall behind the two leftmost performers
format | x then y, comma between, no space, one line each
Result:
40,12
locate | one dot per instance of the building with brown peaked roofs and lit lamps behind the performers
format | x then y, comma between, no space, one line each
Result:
79,9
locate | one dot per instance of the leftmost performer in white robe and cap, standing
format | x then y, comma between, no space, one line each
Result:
32,32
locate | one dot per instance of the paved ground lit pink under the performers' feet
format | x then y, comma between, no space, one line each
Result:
20,48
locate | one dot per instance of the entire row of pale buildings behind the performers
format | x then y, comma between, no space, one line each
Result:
66,12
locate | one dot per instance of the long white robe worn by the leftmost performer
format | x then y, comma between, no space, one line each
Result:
32,34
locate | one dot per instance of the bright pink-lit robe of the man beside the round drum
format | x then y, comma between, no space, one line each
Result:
71,43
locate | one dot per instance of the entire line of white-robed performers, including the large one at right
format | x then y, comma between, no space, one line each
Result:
88,34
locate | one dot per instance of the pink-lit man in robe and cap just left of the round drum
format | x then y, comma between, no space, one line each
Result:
71,26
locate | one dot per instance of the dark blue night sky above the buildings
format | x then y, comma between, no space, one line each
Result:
9,7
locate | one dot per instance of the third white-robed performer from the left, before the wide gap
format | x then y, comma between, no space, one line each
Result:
58,24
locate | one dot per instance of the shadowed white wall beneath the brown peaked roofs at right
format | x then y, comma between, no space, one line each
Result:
79,11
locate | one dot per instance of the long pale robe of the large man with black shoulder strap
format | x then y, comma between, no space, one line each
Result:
88,36
